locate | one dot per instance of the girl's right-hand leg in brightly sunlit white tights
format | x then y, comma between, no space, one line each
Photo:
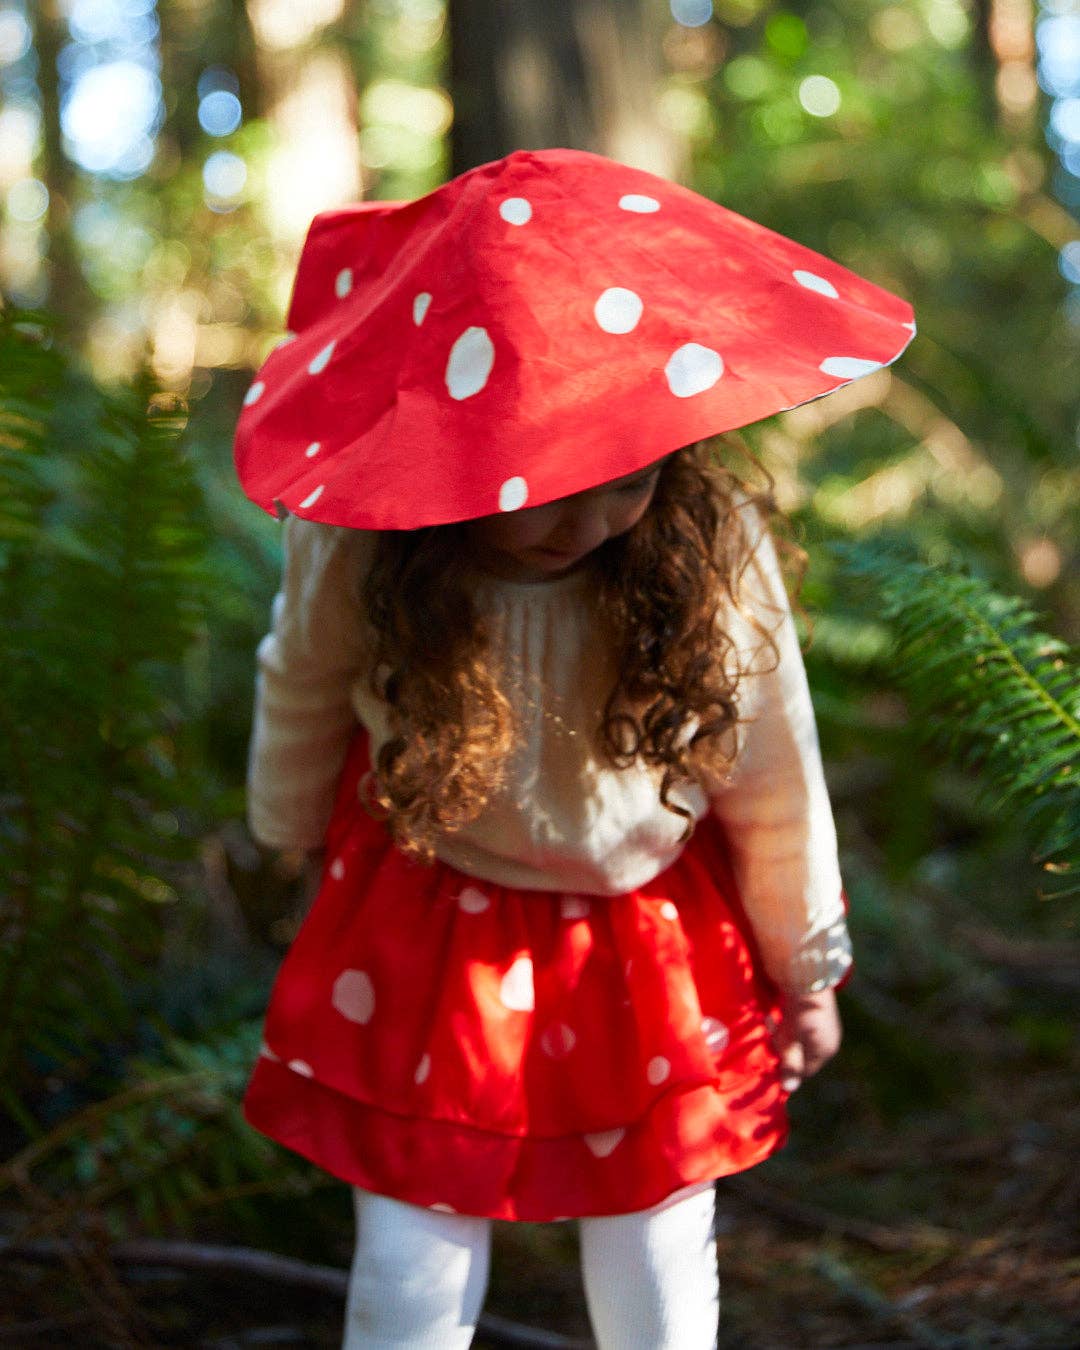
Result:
651,1278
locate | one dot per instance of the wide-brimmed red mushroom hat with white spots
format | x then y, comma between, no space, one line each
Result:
537,327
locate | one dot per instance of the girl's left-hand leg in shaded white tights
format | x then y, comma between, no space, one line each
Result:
419,1278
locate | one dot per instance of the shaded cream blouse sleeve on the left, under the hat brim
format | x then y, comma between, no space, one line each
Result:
307,665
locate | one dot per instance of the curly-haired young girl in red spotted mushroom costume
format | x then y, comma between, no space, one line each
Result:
534,700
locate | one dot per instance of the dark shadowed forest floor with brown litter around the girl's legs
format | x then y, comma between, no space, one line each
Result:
948,1226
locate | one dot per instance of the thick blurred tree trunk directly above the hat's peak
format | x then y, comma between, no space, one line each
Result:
535,74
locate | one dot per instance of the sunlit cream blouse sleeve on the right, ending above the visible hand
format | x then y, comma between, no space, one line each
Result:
776,808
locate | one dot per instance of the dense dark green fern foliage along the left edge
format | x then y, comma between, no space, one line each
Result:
102,581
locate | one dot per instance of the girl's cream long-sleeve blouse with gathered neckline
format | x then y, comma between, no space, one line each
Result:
565,820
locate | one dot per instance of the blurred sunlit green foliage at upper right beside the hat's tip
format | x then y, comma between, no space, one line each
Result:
921,183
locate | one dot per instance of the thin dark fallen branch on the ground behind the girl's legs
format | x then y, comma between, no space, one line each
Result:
268,1266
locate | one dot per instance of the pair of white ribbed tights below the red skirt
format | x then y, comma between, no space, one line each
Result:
419,1278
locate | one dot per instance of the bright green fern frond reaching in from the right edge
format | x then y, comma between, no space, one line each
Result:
997,692
